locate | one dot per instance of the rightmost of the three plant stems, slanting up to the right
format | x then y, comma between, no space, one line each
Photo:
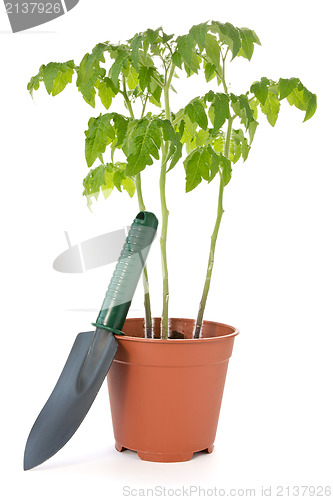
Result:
199,320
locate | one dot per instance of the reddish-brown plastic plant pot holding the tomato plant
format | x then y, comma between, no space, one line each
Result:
165,395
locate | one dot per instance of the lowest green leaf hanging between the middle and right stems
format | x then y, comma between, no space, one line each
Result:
202,163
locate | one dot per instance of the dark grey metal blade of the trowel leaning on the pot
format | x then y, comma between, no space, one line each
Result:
81,378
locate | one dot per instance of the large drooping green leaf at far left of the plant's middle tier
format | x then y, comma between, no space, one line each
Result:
99,134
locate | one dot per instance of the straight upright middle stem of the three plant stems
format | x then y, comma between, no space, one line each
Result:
165,212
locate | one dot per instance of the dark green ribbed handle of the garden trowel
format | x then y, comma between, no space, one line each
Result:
127,273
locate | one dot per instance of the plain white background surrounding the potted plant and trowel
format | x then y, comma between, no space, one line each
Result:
273,273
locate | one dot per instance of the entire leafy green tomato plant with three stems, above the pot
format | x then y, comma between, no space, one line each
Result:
215,129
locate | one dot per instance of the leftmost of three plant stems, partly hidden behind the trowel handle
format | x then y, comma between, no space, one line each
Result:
145,281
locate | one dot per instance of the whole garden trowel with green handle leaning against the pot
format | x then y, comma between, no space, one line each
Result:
92,353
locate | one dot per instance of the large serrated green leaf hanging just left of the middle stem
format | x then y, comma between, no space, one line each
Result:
143,143
